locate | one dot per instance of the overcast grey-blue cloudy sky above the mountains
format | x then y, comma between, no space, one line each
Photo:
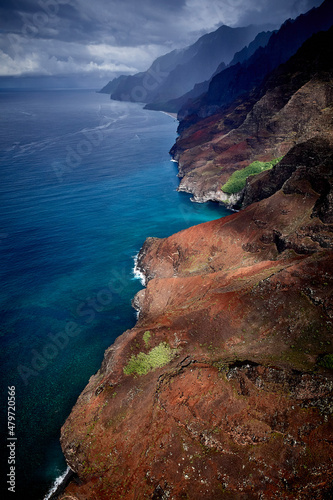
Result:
87,42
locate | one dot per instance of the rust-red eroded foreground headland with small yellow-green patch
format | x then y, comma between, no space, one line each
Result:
243,407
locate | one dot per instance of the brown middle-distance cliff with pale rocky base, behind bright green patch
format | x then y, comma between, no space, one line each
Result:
293,105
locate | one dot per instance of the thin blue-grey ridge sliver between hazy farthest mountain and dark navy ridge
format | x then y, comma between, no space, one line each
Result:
174,105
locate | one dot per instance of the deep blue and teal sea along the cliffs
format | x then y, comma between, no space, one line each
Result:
83,181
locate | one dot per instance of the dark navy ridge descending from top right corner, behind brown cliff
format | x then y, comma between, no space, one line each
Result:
243,76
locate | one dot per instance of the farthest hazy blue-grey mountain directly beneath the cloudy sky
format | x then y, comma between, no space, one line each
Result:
172,75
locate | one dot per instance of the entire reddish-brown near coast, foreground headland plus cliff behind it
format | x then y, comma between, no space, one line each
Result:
223,389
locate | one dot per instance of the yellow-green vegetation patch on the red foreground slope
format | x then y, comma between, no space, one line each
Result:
143,363
